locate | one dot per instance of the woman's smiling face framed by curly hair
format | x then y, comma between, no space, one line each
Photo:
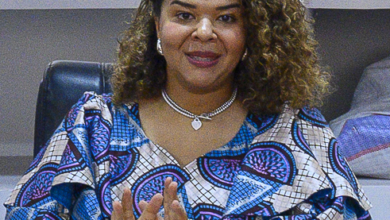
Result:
202,42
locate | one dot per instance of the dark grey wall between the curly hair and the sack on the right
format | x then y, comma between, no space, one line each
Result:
349,41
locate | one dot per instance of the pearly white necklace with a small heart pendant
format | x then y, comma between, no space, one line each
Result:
197,123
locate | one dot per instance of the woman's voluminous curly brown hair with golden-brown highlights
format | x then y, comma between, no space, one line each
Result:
281,65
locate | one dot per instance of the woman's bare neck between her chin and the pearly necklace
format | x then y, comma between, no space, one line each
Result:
199,102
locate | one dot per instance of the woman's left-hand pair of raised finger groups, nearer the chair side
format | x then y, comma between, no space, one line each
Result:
124,211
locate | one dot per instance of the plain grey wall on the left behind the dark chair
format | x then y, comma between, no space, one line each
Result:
29,40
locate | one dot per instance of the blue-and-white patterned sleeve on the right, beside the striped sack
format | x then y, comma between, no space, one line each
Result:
345,199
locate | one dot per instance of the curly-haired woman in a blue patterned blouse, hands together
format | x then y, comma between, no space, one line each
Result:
209,119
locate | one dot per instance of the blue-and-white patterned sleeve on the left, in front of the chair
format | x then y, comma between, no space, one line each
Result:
60,182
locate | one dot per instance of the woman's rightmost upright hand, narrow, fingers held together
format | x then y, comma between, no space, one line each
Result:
172,208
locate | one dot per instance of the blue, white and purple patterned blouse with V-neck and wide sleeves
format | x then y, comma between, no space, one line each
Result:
284,166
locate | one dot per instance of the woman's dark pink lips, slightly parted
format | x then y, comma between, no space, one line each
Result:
203,59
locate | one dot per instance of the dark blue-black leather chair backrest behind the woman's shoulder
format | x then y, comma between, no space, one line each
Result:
64,82
